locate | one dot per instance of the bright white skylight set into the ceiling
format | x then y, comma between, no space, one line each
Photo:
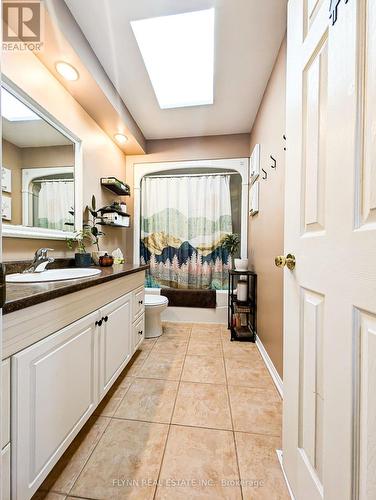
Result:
178,53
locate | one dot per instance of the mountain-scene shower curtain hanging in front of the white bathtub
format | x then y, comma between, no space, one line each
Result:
183,223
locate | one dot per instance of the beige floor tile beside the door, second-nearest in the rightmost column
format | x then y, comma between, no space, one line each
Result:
256,410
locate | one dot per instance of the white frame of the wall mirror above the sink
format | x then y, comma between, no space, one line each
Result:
20,231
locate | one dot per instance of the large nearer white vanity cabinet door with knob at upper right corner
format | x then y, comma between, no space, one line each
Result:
54,391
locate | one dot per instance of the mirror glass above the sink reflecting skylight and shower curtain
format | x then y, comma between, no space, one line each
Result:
38,169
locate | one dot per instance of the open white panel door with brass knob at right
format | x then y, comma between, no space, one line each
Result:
329,422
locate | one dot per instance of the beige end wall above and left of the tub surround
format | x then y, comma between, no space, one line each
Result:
190,148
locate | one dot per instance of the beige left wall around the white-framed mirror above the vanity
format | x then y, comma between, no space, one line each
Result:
101,156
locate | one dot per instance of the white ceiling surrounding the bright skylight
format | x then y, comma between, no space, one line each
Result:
248,36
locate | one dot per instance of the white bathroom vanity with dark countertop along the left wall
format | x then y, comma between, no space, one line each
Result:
64,345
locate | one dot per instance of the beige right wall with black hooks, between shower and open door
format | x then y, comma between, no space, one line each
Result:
266,228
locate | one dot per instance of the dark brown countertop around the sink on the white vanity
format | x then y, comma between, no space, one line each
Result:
21,295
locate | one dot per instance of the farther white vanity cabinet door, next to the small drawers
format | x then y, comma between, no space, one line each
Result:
115,342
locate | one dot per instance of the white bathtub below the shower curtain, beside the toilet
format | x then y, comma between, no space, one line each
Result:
196,314
